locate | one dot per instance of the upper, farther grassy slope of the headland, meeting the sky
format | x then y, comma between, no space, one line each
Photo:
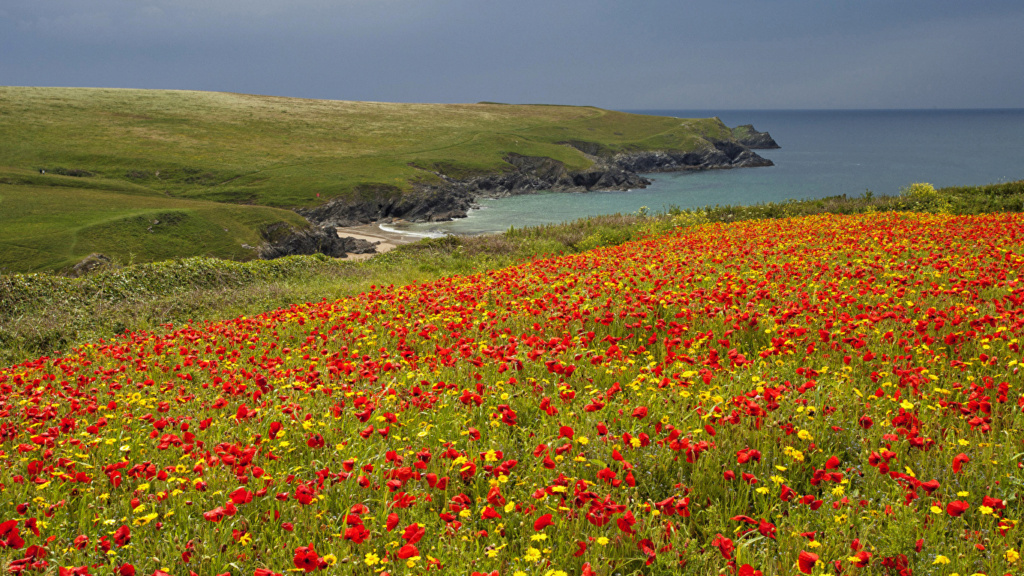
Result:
284,152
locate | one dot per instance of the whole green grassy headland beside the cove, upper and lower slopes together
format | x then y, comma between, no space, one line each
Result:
216,169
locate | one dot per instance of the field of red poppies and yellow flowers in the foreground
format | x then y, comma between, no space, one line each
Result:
829,395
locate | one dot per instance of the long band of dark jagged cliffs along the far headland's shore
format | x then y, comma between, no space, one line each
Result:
527,175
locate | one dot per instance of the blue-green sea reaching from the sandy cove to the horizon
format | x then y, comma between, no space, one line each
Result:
824,153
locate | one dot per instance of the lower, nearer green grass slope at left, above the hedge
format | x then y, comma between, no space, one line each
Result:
52,228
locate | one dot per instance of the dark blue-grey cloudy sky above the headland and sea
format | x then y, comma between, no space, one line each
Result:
707,55
